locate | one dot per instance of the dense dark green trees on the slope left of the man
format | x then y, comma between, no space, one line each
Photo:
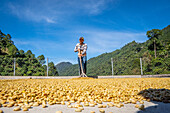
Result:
26,62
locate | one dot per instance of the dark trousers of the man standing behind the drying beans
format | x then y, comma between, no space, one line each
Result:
84,64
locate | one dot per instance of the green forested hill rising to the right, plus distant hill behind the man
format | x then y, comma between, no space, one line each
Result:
126,60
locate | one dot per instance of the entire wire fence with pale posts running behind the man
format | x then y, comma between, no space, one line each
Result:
113,66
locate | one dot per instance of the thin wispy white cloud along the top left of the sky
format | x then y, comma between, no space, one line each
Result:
51,11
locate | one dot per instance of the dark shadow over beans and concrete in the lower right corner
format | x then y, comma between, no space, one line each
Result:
161,99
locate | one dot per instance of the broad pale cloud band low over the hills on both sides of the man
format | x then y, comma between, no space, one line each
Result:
99,41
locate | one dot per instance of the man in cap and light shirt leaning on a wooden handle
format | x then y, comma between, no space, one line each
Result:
81,48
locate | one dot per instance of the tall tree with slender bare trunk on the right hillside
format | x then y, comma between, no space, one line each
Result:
153,36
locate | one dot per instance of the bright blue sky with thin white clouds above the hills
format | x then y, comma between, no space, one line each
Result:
53,27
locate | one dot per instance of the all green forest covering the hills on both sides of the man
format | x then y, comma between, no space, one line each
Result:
154,53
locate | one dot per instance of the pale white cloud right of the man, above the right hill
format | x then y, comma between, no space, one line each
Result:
107,41
